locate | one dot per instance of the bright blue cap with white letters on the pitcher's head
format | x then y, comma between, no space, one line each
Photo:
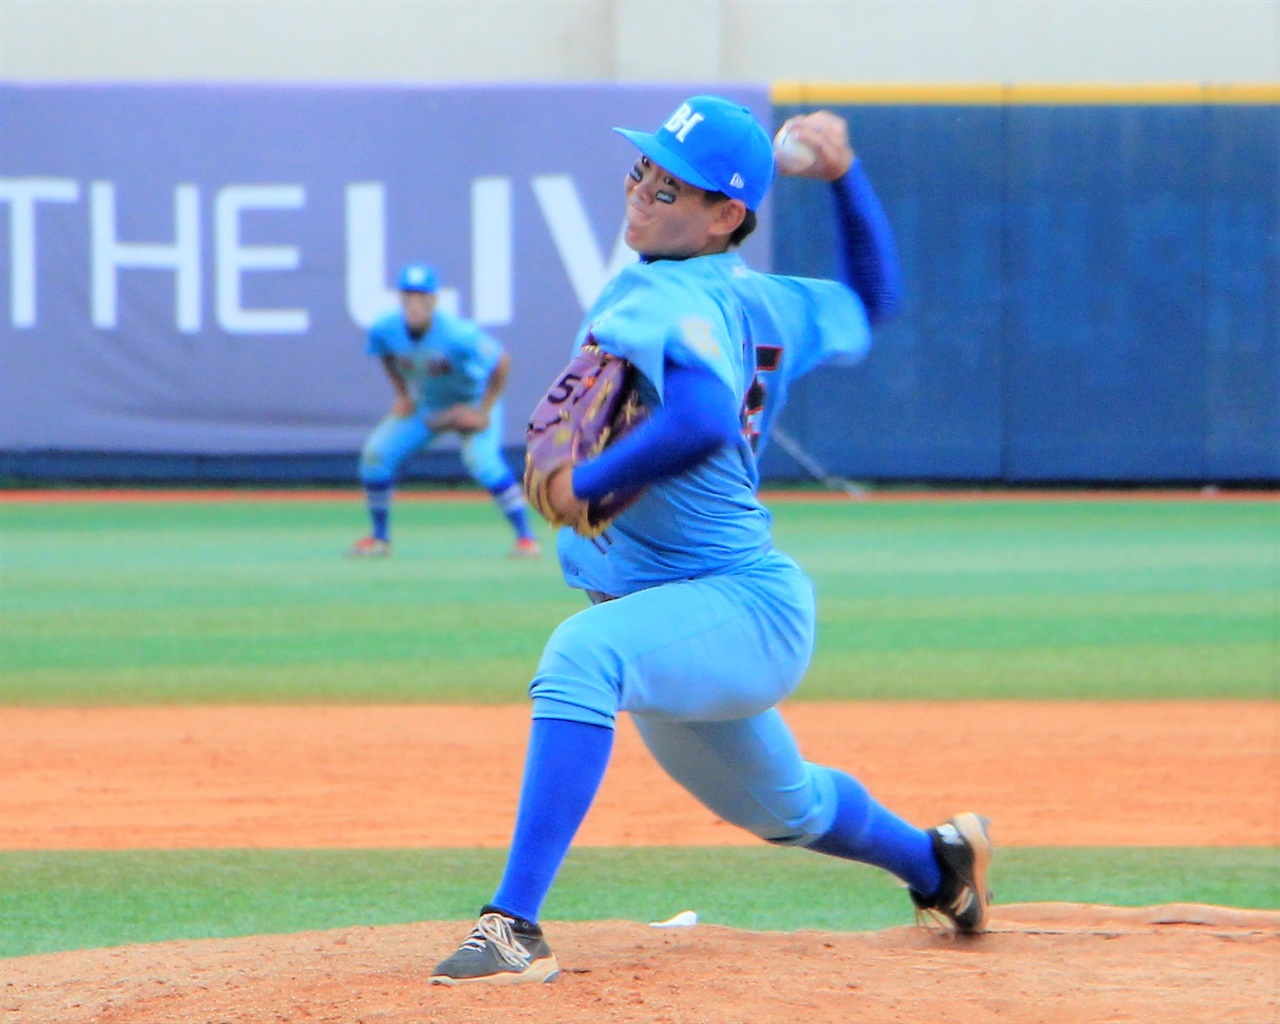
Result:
714,144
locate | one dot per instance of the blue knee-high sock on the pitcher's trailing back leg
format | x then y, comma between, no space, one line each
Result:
868,833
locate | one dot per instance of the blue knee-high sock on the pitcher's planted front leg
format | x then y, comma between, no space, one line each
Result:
564,769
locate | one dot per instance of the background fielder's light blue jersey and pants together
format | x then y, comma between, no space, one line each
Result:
450,364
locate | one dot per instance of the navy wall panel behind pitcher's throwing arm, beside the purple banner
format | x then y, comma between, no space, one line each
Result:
927,403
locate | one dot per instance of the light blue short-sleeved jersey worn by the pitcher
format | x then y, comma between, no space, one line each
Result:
717,313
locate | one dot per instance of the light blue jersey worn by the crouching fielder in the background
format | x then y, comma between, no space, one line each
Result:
449,365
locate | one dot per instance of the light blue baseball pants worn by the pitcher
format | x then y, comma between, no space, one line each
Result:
701,666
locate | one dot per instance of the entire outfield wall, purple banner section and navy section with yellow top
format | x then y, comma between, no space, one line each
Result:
1092,275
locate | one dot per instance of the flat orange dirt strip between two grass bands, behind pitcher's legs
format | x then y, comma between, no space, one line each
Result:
1172,774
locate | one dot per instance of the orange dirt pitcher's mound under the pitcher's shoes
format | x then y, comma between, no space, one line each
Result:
1045,963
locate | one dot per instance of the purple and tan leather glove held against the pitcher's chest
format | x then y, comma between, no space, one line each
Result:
592,404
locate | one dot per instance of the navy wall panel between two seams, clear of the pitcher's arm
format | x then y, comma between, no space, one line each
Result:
1105,294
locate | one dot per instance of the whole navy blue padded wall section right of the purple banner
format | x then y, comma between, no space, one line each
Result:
1092,295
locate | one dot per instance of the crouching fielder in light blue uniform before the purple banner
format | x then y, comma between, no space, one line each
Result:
449,377
